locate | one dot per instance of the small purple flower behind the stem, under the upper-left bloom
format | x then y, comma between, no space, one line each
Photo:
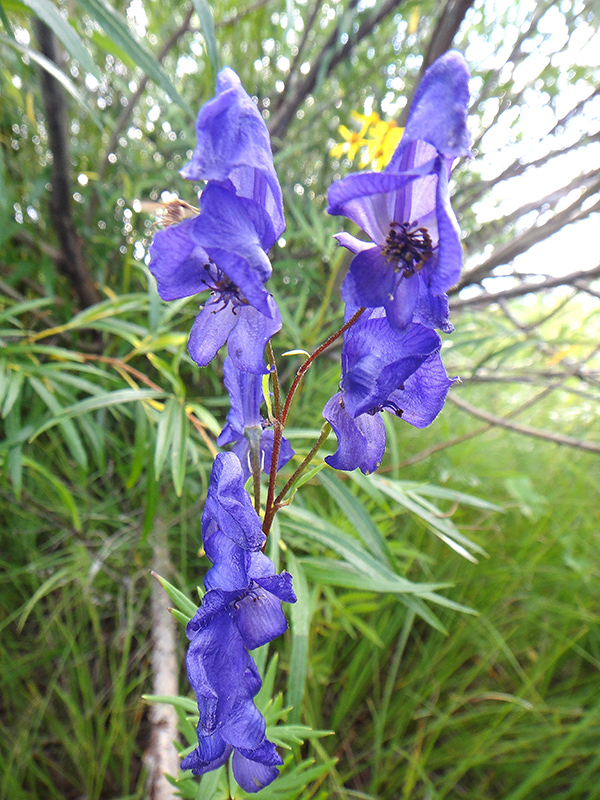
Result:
245,423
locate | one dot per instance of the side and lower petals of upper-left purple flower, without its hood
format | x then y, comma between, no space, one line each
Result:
223,250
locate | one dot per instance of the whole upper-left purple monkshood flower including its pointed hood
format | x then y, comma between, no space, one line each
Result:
224,249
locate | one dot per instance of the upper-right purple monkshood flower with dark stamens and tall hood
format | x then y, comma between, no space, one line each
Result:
415,253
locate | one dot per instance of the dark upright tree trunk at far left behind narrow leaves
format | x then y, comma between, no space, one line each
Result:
72,262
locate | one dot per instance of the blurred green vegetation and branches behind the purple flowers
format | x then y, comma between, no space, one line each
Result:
108,428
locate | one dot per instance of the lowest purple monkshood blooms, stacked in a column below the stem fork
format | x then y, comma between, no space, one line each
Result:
240,611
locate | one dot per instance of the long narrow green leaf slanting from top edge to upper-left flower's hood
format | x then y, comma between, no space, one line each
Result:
116,27
